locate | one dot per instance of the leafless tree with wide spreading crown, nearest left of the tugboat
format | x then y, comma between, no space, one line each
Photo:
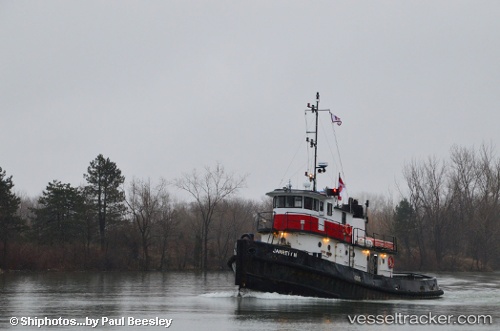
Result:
208,191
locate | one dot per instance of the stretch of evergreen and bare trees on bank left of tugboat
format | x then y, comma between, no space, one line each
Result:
104,225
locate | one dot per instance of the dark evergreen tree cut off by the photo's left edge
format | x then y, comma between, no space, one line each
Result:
10,224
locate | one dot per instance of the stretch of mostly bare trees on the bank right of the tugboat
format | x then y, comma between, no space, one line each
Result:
449,215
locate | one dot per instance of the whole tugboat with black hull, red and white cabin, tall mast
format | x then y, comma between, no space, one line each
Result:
314,245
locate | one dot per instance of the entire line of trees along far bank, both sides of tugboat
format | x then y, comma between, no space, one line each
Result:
447,218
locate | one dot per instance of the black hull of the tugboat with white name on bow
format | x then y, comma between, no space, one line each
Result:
273,268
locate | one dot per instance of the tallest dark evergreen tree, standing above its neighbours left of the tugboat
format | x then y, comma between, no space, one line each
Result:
104,180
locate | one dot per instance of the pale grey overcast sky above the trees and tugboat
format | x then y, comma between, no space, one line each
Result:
163,87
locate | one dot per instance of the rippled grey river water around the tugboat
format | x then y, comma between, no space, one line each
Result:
191,301
